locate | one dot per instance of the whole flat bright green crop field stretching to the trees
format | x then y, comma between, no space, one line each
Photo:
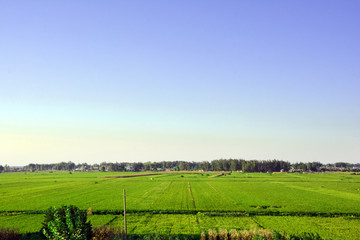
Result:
328,204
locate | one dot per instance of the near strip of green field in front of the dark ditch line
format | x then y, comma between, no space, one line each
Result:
334,228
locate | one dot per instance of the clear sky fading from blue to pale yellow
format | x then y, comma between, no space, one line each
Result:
93,81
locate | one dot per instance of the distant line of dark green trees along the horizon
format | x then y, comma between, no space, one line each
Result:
215,165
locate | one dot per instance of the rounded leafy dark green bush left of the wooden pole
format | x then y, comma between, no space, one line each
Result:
66,222
